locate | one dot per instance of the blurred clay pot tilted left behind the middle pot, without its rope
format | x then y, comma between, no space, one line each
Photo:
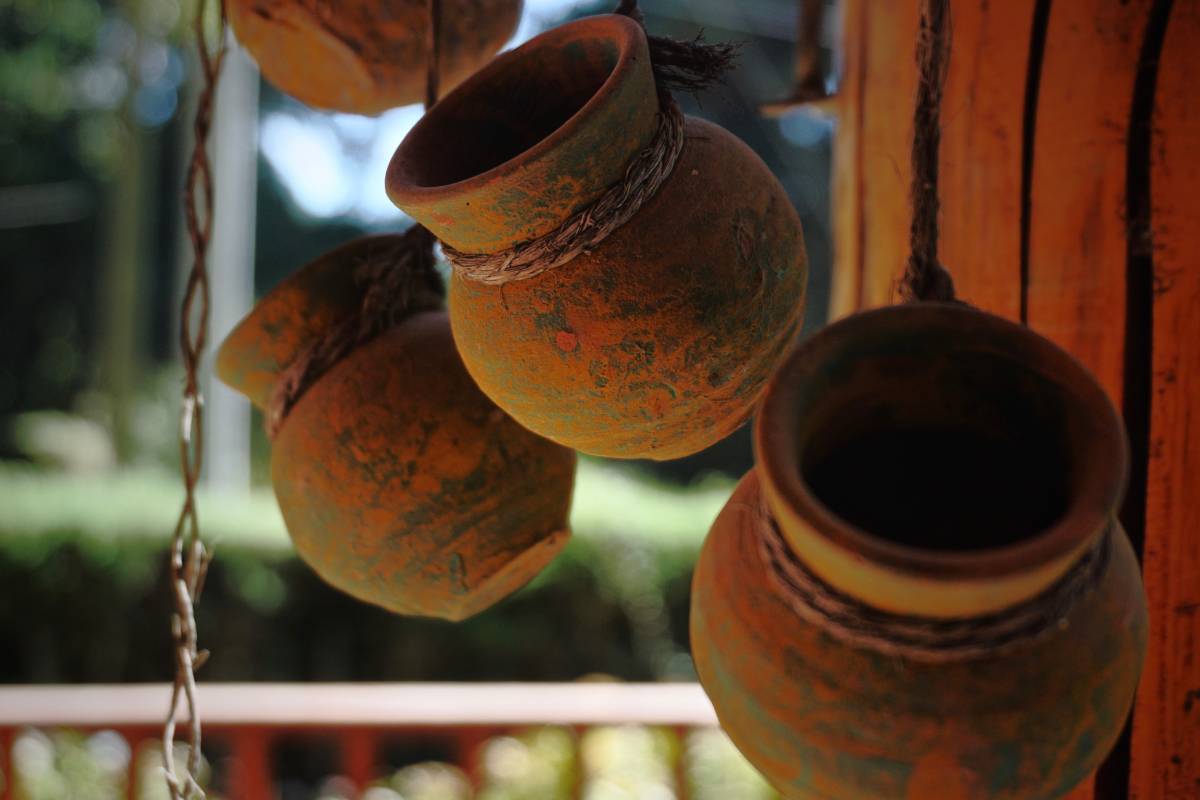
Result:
400,483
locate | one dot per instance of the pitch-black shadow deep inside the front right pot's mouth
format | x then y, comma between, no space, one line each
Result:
943,485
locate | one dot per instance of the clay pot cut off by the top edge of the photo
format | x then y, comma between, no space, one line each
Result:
367,57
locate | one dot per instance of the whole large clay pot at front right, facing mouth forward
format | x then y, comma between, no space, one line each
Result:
945,474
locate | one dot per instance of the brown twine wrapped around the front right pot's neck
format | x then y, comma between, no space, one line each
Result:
921,639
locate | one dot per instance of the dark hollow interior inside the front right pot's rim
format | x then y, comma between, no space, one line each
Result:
965,452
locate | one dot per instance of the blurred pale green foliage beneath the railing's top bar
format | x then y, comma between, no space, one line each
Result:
609,763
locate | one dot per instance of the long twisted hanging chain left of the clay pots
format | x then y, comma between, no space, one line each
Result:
189,557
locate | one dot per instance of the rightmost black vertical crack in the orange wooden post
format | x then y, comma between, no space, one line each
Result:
1113,778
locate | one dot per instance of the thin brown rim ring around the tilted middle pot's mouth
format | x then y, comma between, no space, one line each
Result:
631,40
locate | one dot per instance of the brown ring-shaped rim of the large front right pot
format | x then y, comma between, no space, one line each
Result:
1094,501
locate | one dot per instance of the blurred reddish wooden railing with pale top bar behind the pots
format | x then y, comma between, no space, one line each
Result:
248,719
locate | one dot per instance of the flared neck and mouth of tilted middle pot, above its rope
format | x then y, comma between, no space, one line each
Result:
531,140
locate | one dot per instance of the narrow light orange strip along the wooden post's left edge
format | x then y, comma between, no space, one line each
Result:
848,167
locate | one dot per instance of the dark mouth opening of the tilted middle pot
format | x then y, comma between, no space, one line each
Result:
514,107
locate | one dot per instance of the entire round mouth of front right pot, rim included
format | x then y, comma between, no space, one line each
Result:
944,442
